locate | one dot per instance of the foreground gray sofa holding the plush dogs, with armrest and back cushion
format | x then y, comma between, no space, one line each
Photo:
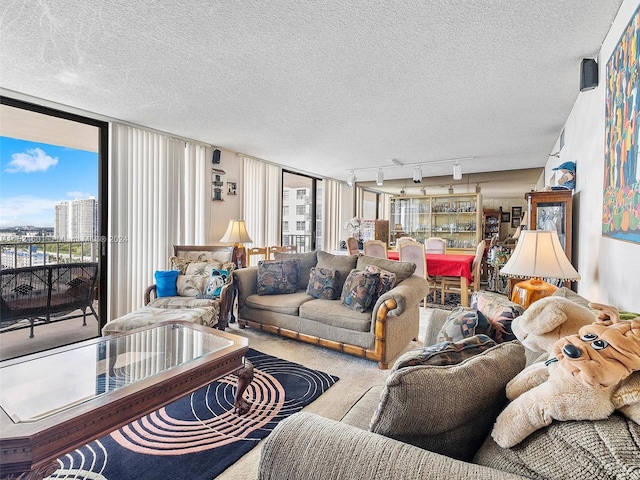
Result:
433,422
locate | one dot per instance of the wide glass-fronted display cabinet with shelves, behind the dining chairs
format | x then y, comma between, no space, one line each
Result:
456,218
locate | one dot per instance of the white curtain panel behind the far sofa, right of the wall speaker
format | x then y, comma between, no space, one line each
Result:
262,187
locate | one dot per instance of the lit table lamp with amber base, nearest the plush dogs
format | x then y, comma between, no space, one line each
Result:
538,254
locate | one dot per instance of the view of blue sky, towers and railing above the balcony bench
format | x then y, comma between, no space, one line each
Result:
48,190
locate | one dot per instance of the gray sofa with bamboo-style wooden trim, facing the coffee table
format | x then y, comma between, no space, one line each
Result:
380,333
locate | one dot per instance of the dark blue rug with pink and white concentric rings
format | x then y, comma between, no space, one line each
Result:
199,436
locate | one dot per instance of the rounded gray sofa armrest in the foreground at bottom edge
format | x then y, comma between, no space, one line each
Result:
307,446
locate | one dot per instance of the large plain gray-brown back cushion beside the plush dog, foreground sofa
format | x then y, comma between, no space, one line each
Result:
448,409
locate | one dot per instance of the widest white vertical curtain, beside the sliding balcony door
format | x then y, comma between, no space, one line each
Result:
156,186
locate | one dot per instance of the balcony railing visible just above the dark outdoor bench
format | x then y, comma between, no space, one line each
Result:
28,253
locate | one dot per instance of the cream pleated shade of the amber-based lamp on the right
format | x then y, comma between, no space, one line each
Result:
538,254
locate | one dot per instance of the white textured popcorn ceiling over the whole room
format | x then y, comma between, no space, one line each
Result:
319,86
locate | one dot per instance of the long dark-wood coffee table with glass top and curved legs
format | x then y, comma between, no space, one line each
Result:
55,401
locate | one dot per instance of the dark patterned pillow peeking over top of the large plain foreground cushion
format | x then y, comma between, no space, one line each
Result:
445,353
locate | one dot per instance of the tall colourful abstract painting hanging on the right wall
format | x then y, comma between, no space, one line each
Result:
621,199
